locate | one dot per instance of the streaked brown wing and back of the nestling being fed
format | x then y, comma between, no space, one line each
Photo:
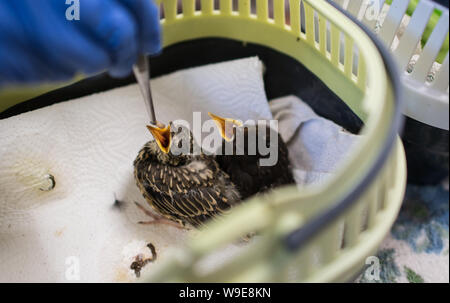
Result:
193,192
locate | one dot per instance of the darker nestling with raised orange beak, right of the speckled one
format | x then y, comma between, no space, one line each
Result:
244,165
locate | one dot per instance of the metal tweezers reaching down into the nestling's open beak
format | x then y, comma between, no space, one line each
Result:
142,73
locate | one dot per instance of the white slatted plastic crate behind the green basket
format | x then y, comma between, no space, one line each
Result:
425,81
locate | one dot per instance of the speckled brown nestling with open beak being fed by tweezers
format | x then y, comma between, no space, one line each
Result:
184,188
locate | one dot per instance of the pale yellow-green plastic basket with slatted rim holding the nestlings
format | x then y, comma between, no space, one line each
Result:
324,232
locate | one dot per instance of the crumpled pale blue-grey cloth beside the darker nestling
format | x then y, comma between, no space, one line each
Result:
316,145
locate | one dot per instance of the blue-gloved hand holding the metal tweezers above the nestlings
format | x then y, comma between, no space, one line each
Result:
38,43
